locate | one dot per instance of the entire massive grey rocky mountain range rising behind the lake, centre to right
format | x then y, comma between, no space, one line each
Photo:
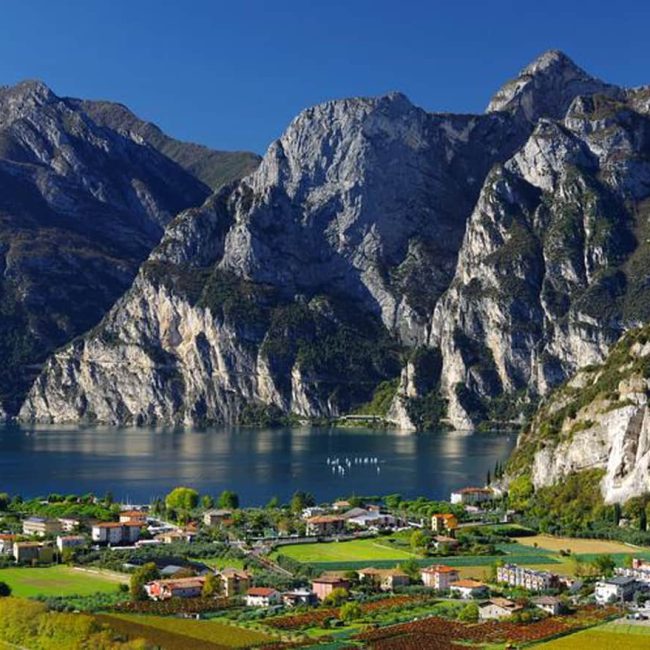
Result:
390,261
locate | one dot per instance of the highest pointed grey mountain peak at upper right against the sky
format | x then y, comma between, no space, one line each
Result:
546,87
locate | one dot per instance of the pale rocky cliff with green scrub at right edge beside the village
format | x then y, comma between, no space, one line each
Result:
597,420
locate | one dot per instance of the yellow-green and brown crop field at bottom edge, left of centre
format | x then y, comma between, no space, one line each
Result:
179,633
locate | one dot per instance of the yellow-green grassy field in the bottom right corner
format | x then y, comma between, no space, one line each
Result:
612,636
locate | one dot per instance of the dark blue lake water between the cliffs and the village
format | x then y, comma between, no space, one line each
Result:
138,464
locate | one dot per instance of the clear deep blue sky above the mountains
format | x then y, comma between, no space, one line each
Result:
232,75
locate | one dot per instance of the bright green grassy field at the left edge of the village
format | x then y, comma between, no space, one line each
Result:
56,581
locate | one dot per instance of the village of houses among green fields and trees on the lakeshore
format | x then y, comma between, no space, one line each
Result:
306,570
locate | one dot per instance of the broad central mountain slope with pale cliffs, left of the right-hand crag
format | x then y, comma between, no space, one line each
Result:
297,289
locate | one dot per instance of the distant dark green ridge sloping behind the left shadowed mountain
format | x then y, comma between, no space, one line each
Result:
214,168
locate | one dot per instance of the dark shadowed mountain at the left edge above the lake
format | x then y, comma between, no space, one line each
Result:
81,206
